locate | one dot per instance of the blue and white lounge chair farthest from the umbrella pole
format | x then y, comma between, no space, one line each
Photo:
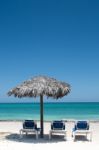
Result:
81,128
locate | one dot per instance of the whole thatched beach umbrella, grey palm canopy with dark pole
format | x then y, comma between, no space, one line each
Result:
40,86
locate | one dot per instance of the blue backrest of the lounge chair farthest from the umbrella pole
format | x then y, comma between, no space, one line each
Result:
82,125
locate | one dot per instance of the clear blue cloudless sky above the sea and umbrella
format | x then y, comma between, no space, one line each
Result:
56,38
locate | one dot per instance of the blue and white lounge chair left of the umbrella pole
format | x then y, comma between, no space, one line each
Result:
29,126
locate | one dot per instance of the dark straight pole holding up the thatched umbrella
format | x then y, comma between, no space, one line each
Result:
41,114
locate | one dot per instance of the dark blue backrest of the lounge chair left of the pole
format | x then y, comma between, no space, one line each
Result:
29,124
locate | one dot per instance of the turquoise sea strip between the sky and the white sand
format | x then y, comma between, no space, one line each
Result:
52,111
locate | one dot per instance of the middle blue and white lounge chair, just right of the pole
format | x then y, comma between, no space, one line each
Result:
57,127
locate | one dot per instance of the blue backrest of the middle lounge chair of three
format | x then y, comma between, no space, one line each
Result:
58,125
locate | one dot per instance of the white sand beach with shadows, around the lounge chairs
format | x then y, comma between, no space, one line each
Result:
10,140
